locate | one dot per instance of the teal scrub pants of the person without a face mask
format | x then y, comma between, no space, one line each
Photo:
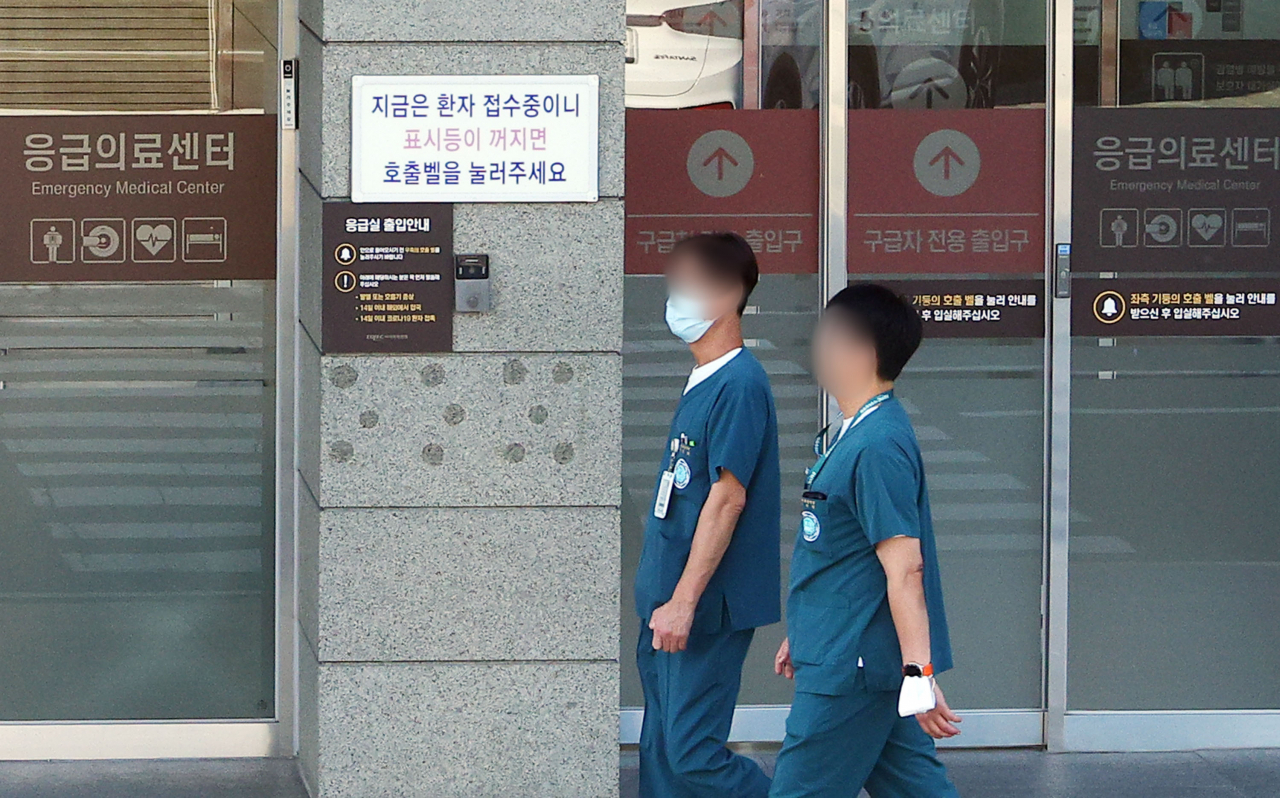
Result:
839,745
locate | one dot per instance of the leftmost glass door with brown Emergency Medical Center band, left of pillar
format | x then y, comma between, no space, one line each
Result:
139,352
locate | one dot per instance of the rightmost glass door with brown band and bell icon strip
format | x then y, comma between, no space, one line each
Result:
1174,371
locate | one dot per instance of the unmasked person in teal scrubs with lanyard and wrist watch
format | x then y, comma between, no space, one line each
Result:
866,626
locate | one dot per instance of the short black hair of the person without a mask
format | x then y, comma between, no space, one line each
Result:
888,318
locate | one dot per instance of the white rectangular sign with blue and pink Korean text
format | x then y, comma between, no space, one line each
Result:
476,139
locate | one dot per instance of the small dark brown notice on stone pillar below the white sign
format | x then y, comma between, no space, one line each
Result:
388,279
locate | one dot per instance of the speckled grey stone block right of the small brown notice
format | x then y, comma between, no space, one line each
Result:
557,277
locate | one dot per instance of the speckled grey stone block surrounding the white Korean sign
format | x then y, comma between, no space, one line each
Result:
326,147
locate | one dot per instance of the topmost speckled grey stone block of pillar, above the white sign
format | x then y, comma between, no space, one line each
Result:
454,21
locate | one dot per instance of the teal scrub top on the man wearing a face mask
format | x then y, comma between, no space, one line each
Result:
726,422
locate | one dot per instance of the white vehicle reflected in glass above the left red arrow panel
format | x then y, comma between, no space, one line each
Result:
684,56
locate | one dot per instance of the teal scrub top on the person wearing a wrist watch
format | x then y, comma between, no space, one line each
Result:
870,490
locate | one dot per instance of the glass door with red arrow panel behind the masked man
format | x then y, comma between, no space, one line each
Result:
723,135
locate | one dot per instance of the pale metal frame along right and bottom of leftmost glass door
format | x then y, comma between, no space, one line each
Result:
217,738
